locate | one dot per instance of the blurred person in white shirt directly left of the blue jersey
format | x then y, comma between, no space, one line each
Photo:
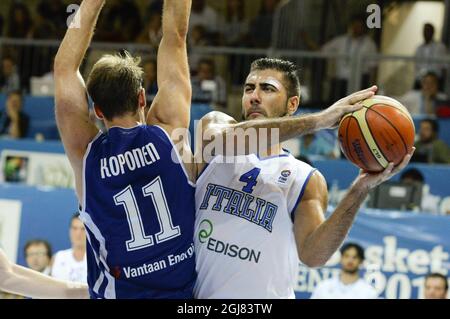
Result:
71,264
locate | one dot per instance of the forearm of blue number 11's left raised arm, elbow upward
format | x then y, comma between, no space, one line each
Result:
78,38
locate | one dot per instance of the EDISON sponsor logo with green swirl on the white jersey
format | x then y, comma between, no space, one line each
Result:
221,247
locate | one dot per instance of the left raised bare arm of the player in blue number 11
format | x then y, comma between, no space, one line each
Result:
72,115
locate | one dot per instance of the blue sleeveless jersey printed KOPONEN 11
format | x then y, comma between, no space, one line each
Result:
139,215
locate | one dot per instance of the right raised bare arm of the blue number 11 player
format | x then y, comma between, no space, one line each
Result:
171,106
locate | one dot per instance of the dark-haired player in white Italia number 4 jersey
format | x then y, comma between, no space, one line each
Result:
256,217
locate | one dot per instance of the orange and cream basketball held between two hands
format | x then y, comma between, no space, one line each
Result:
378,134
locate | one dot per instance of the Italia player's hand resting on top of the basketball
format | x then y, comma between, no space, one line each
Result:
331,117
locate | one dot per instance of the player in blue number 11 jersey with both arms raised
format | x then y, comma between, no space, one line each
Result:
136,196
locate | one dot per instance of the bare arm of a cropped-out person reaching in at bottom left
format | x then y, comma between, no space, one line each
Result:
19,280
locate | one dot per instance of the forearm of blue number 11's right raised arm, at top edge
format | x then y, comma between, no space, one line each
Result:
175,22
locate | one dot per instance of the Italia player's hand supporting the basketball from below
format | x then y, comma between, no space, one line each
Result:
367,180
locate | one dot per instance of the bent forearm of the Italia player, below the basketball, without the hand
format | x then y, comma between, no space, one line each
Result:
324,241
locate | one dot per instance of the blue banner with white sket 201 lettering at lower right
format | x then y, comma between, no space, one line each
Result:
400,249
